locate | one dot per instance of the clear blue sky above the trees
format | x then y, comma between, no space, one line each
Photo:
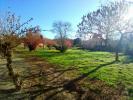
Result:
45,12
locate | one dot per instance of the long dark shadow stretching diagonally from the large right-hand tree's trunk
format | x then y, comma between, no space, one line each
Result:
70,86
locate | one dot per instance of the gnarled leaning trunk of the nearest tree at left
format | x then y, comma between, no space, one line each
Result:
14,76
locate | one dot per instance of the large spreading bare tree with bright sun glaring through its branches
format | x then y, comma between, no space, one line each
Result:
108,21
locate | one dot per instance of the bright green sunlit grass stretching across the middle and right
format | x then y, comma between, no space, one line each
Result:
101,62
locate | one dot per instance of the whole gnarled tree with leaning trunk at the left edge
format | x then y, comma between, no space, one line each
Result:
11,31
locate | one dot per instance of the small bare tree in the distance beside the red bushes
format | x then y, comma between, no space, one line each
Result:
61,29
